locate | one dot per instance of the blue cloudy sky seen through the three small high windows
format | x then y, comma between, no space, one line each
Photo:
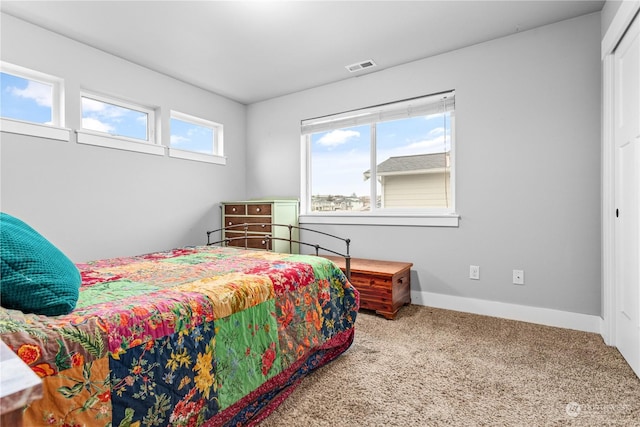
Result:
31,101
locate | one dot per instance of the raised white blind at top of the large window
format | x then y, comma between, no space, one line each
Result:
421,106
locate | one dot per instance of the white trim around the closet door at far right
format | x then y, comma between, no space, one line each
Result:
623,18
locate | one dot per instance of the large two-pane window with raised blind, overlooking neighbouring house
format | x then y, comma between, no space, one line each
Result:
391,159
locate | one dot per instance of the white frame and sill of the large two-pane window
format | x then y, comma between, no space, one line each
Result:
440,217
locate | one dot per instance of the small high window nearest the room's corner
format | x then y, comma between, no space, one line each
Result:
194,138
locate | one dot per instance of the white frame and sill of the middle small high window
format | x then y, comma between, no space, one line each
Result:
107,140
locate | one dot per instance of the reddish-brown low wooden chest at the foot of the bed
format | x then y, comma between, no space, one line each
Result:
384,286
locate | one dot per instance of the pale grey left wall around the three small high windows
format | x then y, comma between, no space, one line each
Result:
97,202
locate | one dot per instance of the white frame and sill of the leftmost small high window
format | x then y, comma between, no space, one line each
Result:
56,129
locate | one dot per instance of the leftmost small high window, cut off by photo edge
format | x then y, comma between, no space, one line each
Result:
30,96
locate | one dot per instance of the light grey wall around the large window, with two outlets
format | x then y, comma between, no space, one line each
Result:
528,166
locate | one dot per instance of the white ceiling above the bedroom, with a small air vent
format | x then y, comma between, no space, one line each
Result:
255,50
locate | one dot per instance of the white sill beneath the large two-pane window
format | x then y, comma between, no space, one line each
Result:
434,220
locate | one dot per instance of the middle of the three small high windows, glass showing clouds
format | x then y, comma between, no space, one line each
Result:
117,118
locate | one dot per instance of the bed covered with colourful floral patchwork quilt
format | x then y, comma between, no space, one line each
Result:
194,336
